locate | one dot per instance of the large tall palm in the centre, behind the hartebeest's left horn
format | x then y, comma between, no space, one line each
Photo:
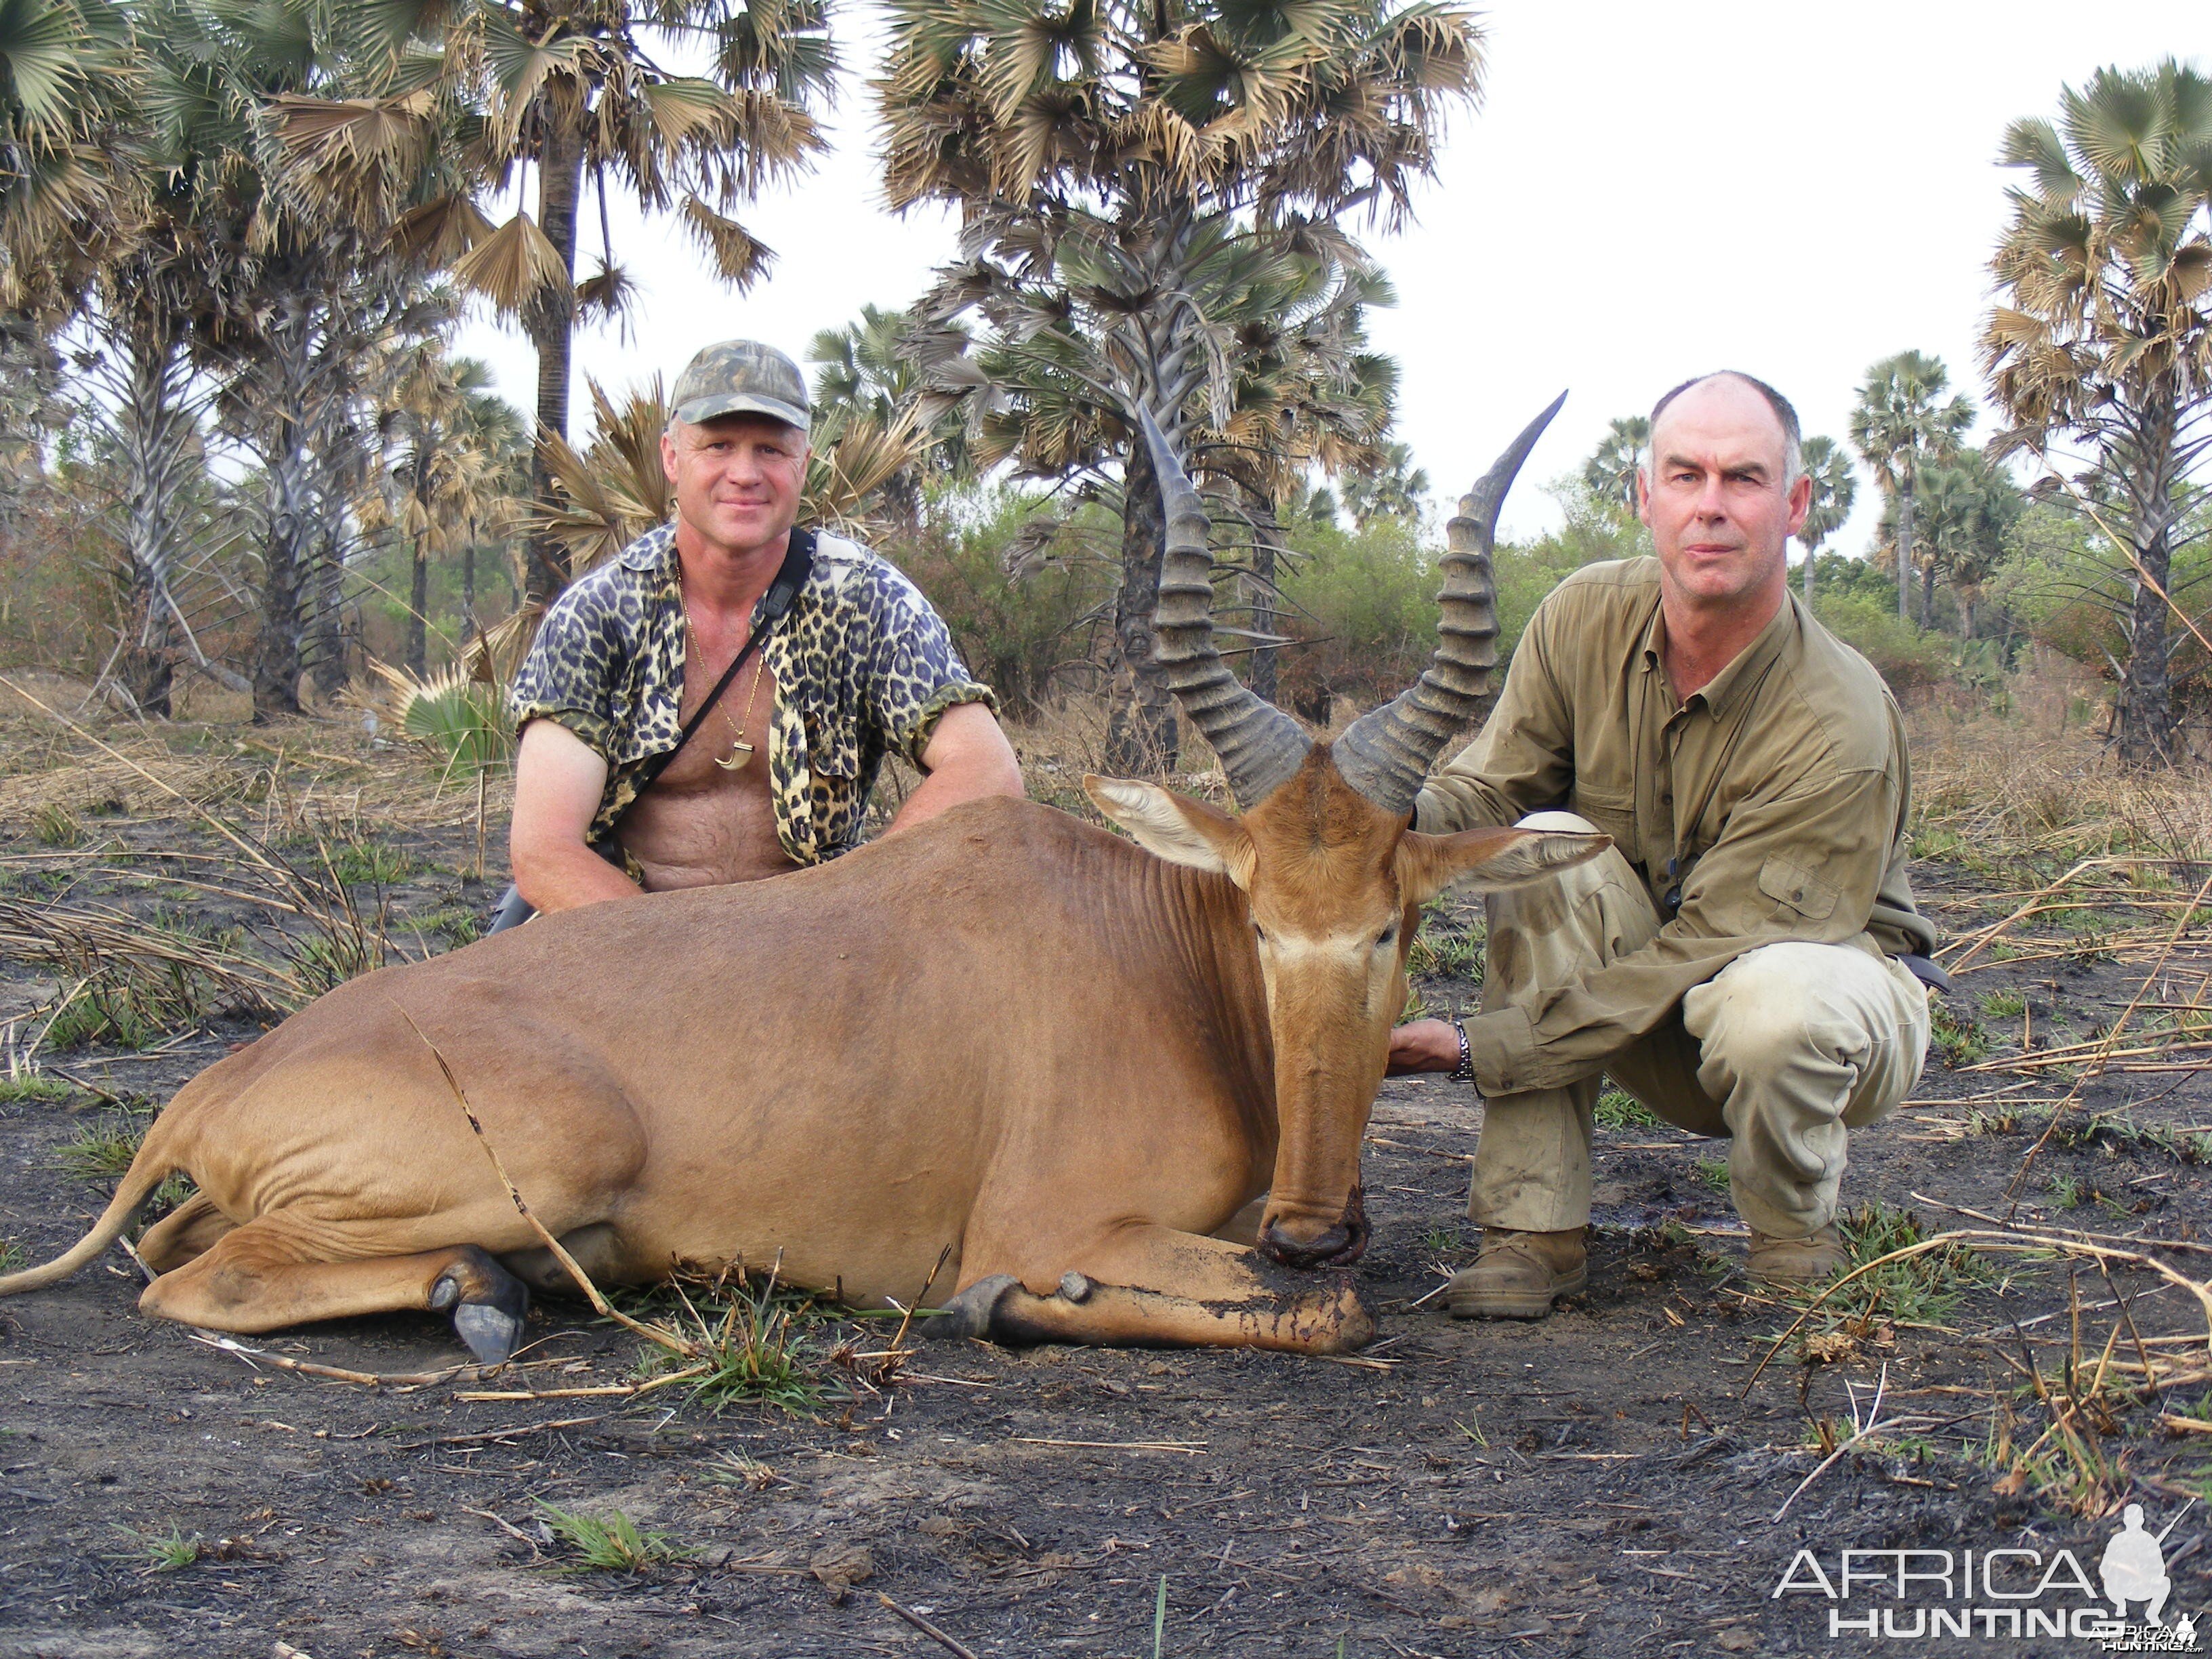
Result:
1116,160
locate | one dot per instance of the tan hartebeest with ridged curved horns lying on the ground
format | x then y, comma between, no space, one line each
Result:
1065,1058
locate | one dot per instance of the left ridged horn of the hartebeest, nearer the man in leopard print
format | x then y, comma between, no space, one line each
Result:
1258,742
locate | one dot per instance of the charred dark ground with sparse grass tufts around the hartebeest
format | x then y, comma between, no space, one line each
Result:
1603,1483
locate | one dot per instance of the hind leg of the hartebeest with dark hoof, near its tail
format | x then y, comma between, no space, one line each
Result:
267,1275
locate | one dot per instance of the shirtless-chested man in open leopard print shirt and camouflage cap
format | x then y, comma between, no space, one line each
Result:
778,775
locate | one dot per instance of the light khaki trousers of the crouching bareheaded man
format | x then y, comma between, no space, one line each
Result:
1782,1052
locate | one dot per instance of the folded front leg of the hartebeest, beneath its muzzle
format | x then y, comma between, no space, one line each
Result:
1154,1286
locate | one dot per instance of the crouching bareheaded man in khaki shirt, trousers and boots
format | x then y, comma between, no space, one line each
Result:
1735,963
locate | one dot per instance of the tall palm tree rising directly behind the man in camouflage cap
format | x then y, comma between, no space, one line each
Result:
576,94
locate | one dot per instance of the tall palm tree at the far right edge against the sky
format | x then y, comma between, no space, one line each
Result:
2103,348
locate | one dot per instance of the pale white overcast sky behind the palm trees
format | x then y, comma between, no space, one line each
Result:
1647,194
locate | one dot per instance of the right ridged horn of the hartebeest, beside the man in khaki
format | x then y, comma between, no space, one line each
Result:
1388,751
